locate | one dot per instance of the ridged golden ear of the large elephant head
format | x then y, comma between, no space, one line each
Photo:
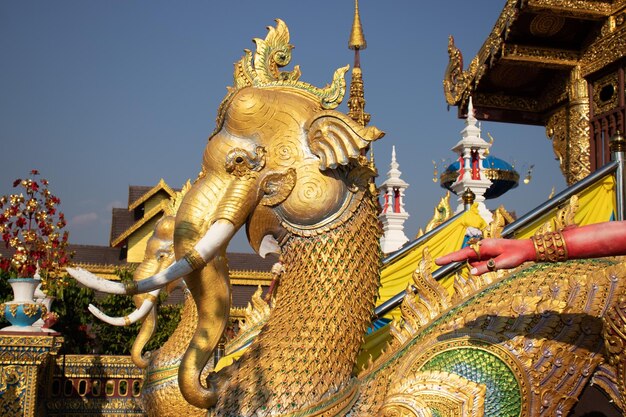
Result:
337,139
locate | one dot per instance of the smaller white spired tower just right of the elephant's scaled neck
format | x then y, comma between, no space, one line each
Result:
393,214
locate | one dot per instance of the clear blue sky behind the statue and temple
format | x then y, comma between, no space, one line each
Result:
101,95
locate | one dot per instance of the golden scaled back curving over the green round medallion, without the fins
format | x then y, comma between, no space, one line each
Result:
561,305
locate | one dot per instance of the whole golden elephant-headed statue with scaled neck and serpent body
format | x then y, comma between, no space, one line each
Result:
289,167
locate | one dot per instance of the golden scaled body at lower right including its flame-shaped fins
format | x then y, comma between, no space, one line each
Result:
560,305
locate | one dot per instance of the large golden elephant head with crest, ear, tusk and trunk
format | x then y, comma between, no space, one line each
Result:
281,162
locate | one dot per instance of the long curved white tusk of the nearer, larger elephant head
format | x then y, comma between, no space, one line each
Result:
218,234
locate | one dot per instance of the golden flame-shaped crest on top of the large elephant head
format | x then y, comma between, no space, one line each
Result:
262,70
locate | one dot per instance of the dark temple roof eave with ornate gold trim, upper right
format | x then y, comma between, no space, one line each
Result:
521,71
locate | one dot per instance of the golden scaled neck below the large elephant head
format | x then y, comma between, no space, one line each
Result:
323,307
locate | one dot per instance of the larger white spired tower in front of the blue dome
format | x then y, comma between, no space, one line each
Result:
472,150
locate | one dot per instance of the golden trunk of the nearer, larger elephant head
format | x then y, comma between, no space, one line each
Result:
209,285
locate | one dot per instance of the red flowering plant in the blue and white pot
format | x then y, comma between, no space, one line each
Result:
31,227
